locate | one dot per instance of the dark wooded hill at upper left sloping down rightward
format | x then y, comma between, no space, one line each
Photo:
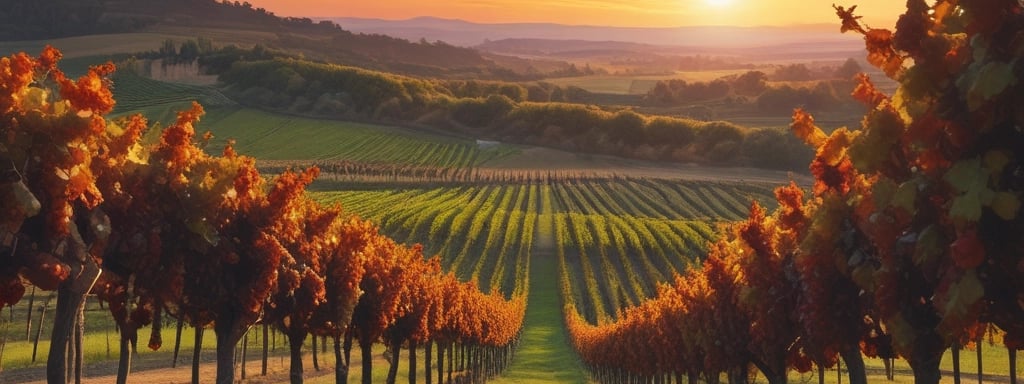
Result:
25,20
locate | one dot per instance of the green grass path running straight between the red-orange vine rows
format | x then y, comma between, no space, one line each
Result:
545,355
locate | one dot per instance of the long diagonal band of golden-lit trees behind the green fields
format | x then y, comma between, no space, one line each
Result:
539,114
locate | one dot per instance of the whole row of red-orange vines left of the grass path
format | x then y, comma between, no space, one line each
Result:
169,230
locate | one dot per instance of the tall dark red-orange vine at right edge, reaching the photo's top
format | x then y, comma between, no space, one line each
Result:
932,222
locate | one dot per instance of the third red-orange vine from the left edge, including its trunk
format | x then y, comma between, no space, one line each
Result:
221,254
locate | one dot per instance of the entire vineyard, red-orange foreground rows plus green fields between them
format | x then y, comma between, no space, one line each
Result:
904,252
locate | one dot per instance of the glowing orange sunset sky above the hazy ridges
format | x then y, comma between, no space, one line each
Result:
598,13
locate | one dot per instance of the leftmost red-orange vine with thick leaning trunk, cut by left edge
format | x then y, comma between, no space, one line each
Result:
57,144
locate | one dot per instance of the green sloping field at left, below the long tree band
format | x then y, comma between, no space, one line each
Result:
272,137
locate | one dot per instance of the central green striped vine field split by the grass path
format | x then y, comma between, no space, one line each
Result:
617,238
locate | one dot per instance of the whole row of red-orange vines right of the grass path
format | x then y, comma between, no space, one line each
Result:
911,243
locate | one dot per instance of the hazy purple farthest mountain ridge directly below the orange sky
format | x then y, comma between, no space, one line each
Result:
464,33
